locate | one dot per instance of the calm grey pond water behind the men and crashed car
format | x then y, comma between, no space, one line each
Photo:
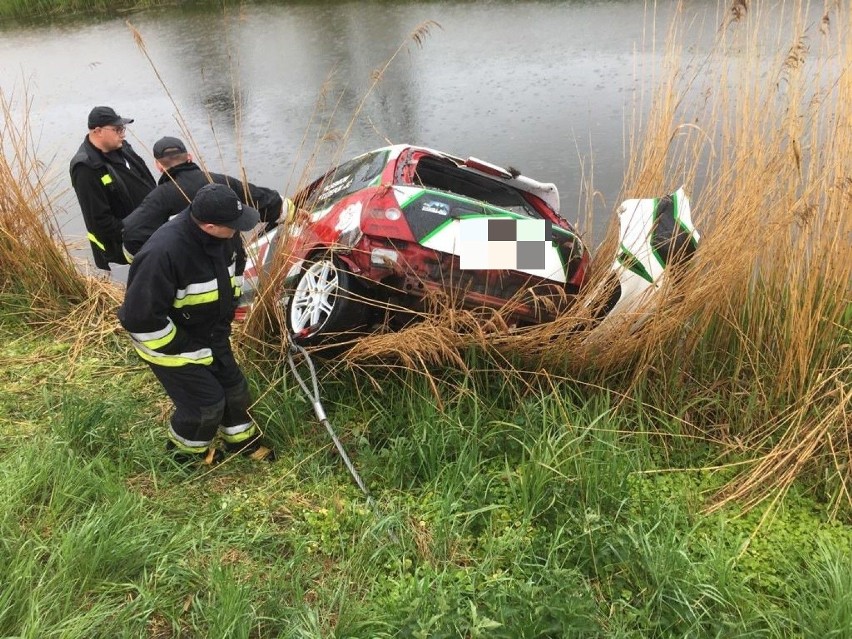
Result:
547,87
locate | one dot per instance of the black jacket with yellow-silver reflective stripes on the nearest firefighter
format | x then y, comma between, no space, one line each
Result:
182,290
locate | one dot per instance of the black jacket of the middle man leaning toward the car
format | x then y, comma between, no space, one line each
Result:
176,188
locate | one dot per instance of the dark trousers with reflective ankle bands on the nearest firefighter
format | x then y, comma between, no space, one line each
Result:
207,398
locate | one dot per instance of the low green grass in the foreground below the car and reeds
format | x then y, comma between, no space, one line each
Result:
504,510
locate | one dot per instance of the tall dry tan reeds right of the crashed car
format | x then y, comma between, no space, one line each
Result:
762,317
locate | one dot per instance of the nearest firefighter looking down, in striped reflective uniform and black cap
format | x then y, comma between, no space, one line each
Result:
182,290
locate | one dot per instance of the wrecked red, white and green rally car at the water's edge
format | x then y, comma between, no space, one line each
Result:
377,238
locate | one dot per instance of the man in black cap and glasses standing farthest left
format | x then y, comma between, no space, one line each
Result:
110,180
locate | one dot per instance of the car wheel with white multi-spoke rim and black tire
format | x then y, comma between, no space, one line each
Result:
327,305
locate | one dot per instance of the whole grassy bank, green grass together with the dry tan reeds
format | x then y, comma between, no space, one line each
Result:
690,478
